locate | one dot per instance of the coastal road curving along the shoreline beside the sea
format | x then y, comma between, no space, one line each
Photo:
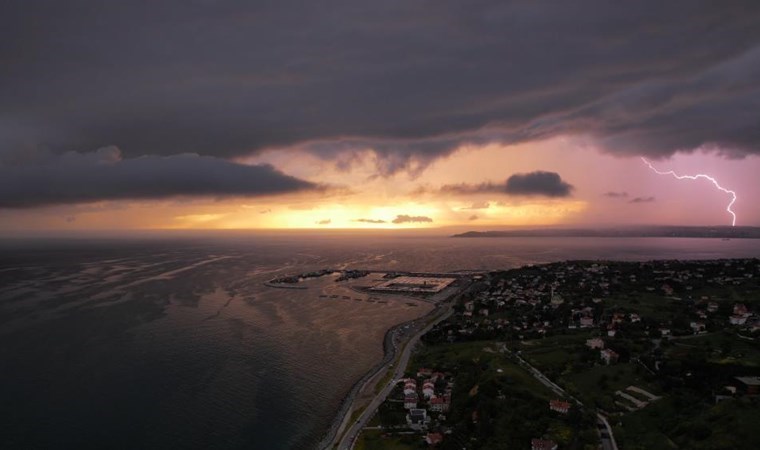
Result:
349,437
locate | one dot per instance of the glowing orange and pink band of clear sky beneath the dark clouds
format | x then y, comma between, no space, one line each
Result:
357,198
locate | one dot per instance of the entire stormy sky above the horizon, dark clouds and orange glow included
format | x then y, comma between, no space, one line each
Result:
200,114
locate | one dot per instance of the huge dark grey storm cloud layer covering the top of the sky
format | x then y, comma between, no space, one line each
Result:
410,81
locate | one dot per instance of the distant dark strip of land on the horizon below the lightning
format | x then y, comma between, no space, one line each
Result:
722,232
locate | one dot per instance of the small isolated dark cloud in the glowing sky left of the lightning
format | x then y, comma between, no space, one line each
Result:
538,183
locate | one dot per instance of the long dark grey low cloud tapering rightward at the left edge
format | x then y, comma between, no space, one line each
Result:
104,175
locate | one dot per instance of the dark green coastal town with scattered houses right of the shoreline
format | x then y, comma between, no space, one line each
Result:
587,355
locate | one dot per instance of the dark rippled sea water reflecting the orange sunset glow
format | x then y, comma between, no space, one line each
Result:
175,342
